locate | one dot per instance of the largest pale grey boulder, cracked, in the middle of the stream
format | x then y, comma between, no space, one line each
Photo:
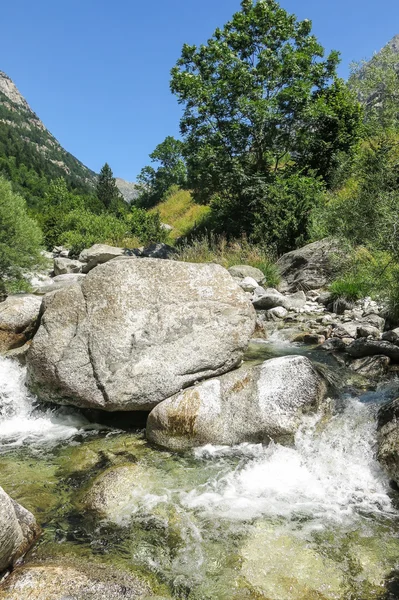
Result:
136,332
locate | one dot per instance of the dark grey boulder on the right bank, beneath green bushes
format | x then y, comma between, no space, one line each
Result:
310,267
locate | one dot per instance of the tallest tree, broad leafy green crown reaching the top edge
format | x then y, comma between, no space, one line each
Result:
260,103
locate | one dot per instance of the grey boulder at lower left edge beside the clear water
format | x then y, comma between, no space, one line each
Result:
18,530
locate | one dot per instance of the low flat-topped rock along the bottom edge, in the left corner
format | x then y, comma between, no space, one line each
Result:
70,581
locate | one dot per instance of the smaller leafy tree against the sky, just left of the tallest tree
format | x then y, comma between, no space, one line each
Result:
171,170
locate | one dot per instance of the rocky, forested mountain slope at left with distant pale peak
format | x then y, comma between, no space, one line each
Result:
29,153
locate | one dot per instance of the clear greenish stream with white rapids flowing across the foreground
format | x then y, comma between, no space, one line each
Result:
313,521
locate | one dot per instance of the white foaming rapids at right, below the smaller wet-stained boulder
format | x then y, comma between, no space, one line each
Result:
329,476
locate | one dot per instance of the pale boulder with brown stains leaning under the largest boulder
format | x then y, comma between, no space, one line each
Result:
256,404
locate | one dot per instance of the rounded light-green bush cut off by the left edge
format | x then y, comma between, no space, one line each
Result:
20,236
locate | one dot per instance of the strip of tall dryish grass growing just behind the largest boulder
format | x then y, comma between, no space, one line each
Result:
218,250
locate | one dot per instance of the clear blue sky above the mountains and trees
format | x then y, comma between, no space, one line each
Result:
97,72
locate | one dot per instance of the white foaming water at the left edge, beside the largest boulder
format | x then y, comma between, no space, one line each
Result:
22,421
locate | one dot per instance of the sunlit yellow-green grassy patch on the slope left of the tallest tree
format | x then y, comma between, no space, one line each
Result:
181,212
